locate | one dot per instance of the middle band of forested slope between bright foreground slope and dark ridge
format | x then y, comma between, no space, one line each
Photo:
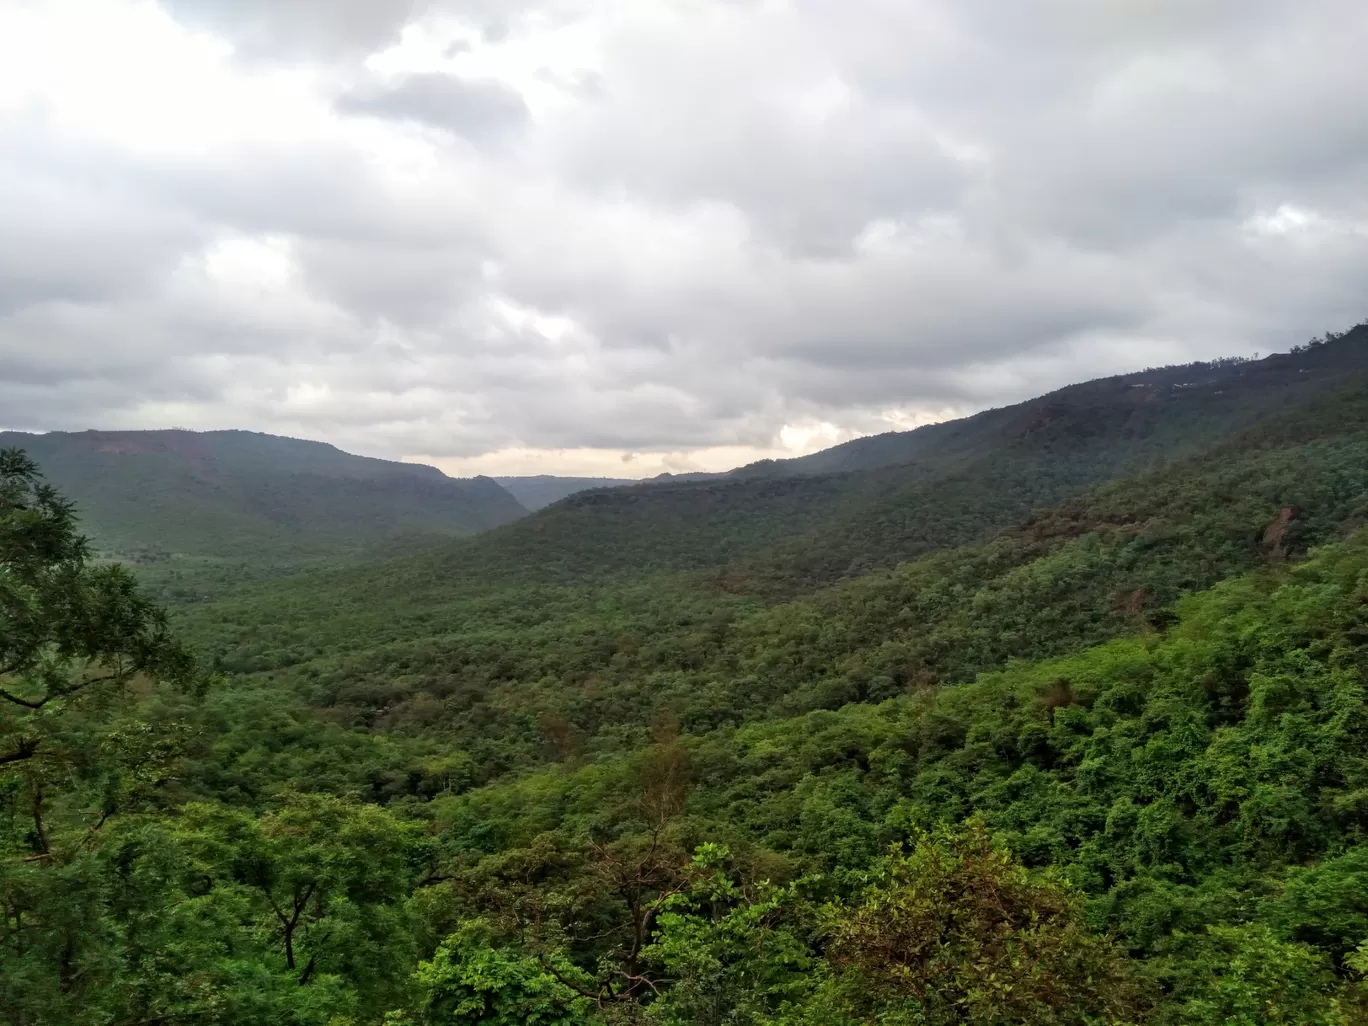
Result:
486,664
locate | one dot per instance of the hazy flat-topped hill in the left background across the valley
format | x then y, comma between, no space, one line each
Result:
248,496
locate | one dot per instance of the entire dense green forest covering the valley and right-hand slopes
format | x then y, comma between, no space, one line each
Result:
1057,715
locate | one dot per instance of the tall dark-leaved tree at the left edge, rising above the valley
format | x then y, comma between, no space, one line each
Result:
76,640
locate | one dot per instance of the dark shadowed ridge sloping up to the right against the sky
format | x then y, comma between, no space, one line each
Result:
778,534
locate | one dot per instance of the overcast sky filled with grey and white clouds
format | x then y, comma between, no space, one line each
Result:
622,237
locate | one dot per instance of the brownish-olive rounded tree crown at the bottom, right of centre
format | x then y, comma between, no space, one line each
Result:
958,934
